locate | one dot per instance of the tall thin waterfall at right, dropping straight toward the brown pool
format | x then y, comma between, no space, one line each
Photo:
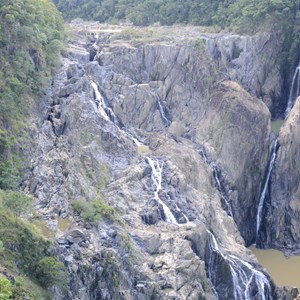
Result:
265,188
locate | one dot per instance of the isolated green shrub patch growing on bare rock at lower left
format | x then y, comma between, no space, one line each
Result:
92,212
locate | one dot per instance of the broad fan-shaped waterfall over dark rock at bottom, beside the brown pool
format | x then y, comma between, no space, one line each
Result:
245,278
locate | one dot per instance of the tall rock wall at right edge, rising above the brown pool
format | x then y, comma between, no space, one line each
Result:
281,228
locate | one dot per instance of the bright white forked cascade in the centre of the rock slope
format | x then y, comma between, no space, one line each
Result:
156,179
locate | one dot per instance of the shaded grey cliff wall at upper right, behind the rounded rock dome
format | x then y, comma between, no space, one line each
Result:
253,62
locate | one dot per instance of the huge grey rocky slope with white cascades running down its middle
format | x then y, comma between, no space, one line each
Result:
187,116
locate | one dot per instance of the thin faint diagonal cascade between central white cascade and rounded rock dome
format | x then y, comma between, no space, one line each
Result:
226,205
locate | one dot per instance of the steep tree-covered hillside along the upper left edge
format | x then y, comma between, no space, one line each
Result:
31,37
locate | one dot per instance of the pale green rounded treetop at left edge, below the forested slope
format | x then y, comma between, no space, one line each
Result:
18,203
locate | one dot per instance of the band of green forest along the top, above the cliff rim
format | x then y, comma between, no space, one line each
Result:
243,16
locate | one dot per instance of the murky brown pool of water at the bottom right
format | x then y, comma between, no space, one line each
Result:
284,271
